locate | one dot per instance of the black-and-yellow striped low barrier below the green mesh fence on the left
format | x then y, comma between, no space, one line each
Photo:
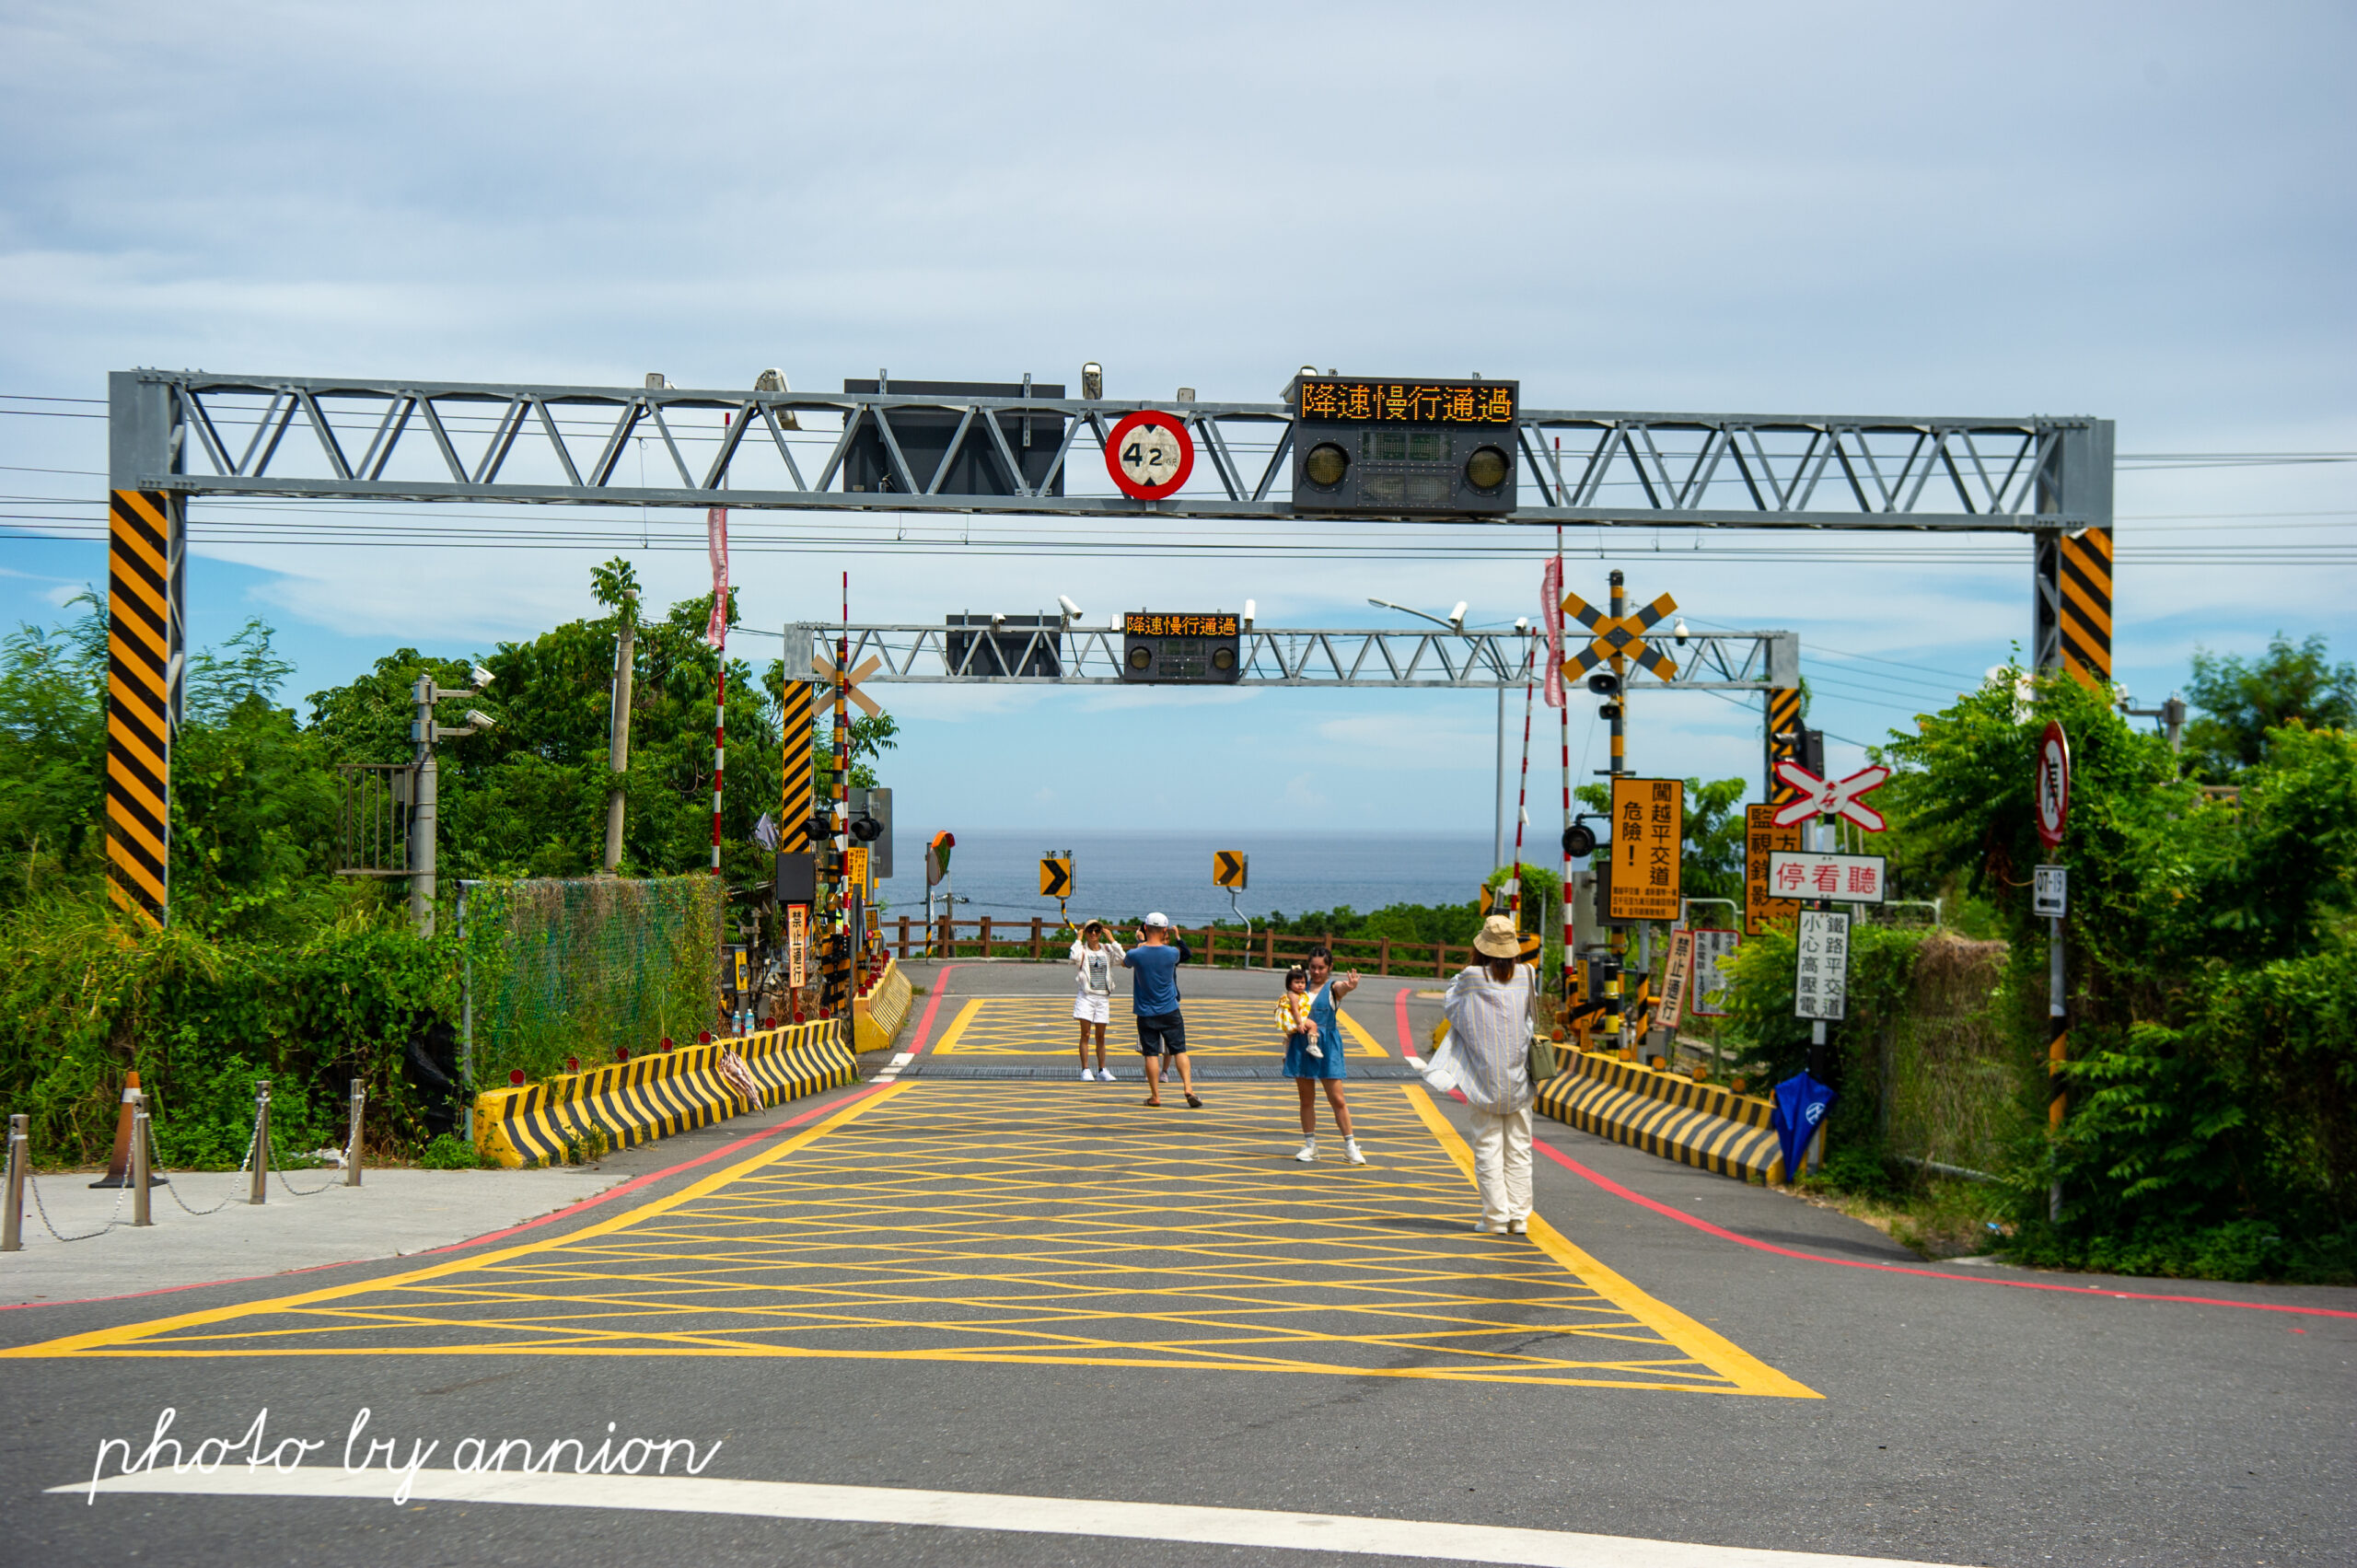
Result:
656,1095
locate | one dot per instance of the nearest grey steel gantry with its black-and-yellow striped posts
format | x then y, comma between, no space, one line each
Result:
190,435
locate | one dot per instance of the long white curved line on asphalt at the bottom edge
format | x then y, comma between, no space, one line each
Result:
1265,1529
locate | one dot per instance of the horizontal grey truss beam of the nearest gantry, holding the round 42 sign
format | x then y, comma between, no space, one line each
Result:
395,440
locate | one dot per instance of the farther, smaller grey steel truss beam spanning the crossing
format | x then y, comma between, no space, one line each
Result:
1279,657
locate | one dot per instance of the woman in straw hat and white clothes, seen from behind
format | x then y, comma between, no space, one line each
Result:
1491,1013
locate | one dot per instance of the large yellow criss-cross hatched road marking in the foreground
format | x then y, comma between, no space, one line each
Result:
1036,1227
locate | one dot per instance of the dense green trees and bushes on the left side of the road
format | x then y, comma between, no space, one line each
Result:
275,968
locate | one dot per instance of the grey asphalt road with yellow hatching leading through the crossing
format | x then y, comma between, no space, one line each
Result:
1041,1296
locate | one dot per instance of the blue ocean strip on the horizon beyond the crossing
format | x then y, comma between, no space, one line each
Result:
1121,876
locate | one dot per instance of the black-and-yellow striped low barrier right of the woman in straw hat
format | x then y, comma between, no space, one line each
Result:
1668,1114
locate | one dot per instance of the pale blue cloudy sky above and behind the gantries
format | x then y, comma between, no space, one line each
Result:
2137,213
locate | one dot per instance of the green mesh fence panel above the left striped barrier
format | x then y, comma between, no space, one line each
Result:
581,968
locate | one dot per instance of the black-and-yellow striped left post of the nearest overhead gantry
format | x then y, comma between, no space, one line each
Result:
145,534
